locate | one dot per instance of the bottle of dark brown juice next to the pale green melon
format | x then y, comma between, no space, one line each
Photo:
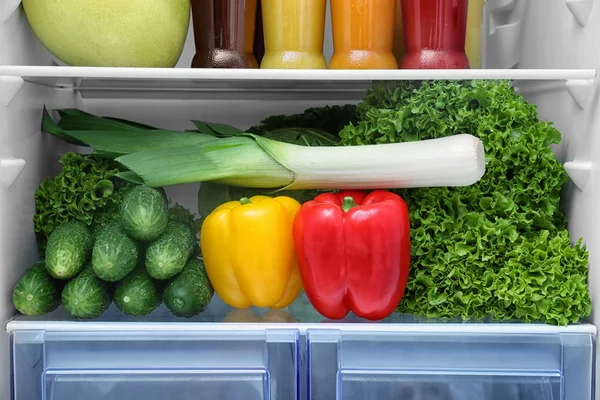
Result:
224,33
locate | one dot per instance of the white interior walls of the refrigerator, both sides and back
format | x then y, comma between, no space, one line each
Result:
517,33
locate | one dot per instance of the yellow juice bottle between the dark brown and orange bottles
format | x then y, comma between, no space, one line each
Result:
294,31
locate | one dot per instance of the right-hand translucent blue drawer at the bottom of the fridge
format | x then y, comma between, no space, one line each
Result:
446,366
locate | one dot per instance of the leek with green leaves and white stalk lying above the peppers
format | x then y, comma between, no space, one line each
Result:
264,163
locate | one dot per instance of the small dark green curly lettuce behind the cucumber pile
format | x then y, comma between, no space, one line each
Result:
84,190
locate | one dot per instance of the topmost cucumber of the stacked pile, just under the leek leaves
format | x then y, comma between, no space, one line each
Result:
143,213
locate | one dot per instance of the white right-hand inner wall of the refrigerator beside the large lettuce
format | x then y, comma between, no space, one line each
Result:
559,34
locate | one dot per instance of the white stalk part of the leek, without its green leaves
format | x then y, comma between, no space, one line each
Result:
450,161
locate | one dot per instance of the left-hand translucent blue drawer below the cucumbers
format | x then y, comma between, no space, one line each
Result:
248,365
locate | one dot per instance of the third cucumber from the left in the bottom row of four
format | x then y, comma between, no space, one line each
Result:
138,294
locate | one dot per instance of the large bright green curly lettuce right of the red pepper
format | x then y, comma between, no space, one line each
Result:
498,249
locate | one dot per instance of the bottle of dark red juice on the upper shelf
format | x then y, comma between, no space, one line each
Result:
434,32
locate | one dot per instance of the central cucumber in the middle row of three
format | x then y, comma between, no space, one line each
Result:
114,254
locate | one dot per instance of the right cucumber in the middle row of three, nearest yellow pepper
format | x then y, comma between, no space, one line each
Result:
167,255
